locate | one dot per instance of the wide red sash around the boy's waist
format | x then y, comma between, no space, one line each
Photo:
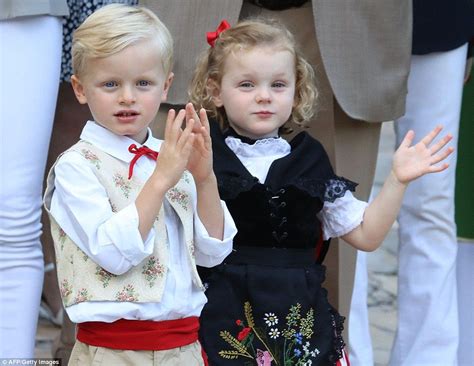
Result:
140,334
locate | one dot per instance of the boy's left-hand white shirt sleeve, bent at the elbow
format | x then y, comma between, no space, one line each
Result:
81,208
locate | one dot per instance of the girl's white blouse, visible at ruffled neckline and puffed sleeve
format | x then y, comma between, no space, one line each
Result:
337,218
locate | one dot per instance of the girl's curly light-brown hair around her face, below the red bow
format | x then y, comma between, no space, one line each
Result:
246,35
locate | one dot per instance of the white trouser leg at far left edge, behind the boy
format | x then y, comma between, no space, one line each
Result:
30,57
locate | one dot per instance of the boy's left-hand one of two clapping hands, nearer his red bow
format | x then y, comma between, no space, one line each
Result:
175,150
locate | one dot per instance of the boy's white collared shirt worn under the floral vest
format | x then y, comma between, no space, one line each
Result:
81,207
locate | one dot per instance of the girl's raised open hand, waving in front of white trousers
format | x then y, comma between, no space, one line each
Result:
411,162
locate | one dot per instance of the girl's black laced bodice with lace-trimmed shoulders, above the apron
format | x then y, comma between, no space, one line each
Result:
280,213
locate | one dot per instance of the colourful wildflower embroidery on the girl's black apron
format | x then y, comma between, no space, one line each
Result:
298,329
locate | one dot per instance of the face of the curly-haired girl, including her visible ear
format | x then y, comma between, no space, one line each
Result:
257,90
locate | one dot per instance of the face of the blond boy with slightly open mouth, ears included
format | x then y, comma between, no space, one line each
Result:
124,90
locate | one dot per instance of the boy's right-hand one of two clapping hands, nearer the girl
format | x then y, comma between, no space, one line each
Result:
200,160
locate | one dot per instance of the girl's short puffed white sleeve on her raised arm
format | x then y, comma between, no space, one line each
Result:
341,216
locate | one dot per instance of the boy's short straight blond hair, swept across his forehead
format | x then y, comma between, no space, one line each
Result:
114,27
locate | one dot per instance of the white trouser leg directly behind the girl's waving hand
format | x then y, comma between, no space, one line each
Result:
428,331
